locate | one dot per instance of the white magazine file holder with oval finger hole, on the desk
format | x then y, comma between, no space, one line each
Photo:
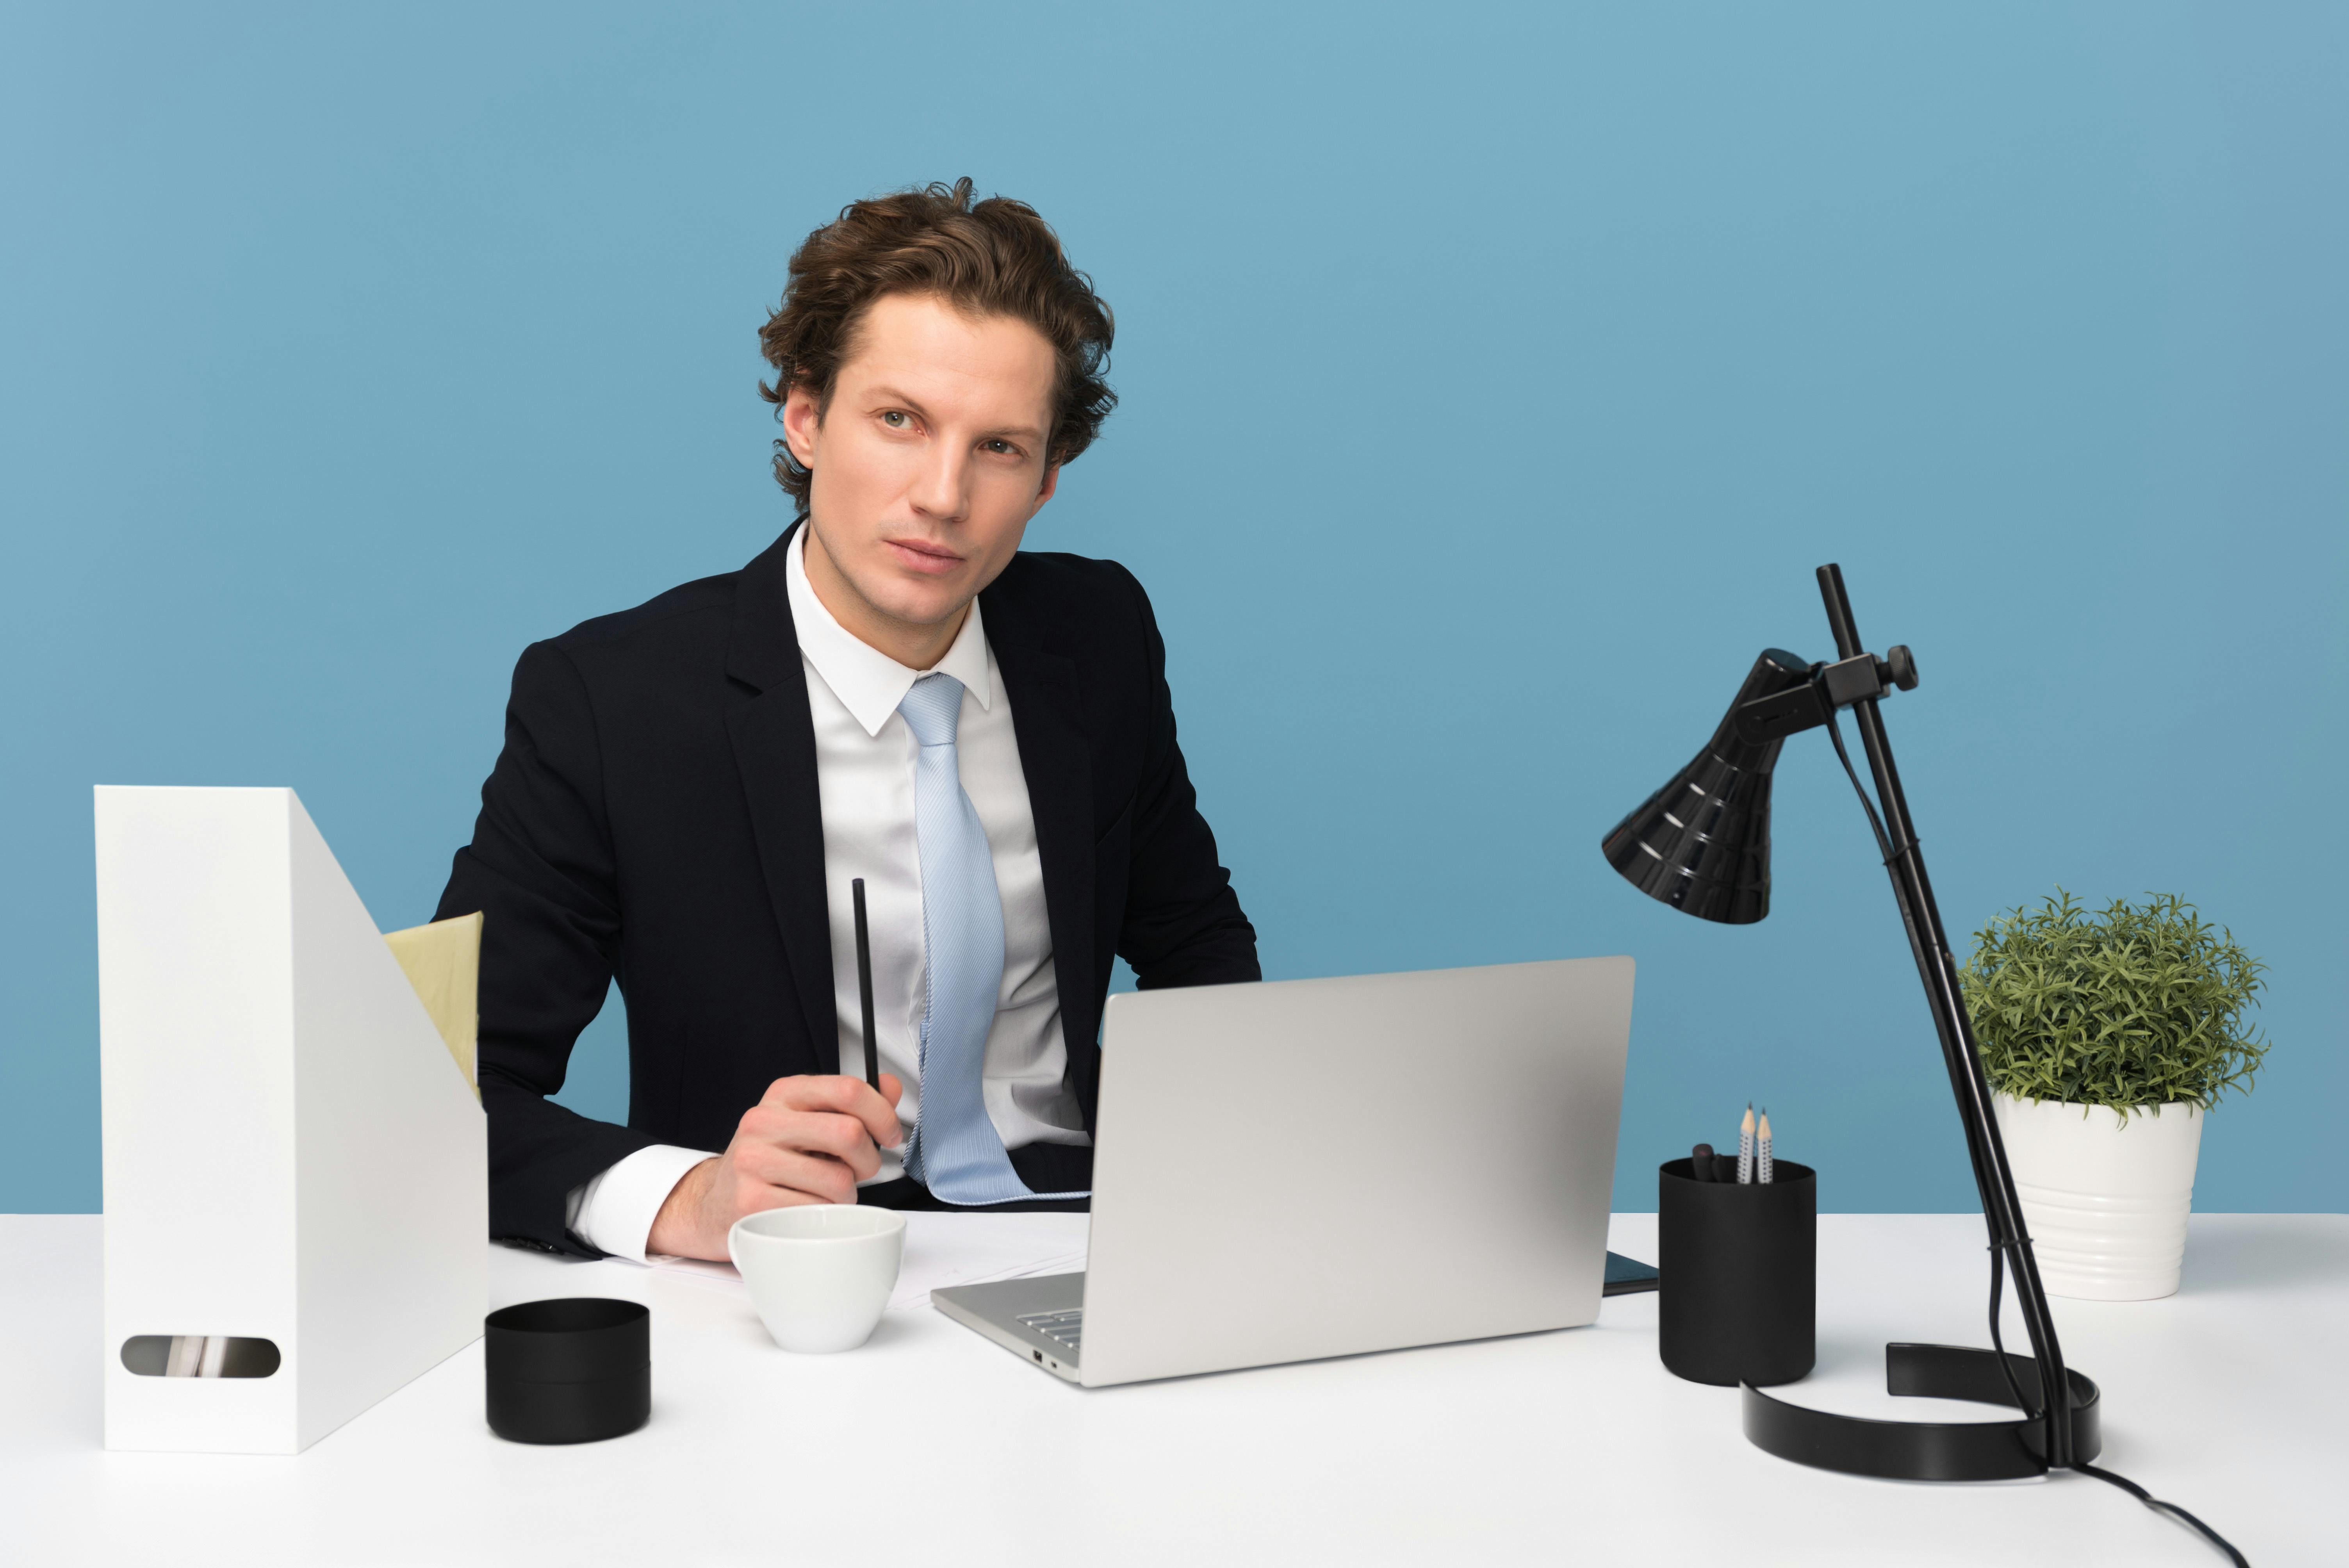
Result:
292,1149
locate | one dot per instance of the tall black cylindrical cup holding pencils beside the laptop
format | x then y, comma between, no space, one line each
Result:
1739,1262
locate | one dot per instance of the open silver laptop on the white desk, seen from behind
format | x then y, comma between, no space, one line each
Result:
1307,1170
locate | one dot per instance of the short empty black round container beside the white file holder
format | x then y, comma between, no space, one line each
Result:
570,1372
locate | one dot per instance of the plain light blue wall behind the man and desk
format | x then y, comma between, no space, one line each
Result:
1493,381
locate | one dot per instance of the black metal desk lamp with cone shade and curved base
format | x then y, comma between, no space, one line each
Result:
1702,844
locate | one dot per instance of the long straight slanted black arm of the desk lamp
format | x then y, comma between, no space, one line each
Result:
1970,1086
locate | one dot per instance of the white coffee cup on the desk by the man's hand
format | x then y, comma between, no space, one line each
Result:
821,1273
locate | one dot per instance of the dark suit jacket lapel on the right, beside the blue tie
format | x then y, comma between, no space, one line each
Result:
1056,755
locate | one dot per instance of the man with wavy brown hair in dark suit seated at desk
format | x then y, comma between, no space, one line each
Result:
887,694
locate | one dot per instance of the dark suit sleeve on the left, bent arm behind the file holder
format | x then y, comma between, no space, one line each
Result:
541,872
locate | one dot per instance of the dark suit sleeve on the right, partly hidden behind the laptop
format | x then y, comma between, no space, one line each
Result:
1183,919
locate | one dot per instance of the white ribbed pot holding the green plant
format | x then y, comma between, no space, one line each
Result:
2106,1201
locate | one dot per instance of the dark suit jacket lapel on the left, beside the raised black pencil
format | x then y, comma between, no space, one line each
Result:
774,743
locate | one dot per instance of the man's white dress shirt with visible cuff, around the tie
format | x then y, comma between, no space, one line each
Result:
866,785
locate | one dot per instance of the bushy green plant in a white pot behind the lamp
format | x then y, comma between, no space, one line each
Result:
2108,1039
